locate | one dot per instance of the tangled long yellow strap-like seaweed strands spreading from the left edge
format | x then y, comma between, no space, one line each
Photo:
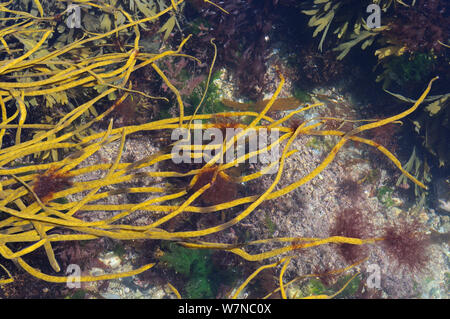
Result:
34,222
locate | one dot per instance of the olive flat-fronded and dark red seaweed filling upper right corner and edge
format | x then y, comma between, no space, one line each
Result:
410,45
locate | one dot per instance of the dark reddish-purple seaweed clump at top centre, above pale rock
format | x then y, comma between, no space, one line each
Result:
241,28
